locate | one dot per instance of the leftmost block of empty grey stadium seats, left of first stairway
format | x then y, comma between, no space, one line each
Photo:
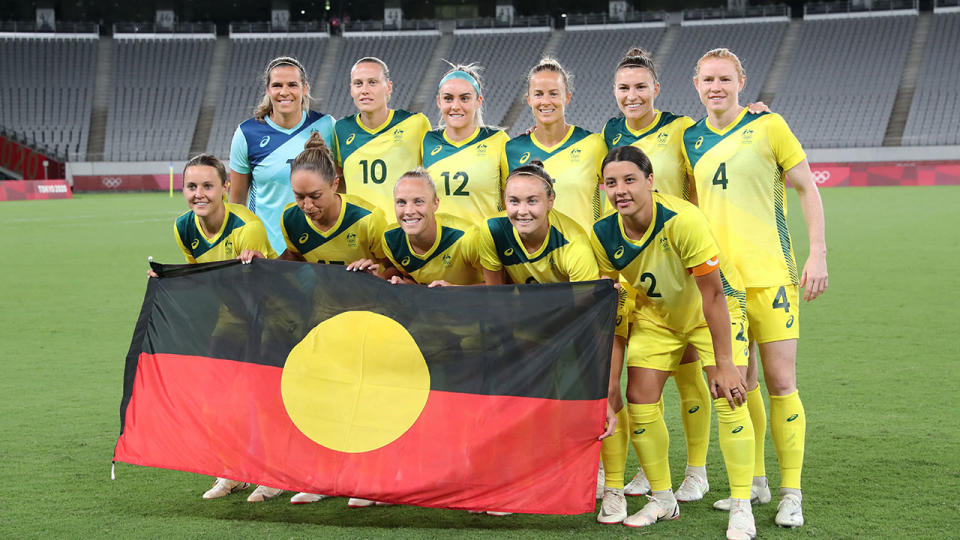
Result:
46,91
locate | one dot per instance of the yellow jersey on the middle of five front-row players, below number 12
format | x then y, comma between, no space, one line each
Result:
452,258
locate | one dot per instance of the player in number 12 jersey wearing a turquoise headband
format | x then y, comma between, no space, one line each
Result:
463,155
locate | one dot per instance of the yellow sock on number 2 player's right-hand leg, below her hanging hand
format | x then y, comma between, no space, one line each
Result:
736,443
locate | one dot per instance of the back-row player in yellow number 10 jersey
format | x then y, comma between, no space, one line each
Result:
376,145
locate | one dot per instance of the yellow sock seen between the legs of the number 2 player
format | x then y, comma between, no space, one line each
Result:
695,400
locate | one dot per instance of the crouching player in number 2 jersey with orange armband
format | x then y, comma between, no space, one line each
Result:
686,295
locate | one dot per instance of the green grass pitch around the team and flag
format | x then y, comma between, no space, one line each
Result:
877,372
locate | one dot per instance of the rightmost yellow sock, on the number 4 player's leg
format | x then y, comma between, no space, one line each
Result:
788,426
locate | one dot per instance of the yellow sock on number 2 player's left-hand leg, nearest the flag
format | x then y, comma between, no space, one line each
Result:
652,443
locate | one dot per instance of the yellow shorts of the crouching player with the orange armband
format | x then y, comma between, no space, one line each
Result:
657,347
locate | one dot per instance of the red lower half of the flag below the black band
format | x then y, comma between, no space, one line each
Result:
227,418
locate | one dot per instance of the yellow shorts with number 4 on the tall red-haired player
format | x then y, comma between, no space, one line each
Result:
774,313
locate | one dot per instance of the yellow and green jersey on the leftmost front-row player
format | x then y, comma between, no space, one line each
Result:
241,230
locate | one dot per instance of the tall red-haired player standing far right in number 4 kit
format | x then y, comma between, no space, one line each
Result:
738,162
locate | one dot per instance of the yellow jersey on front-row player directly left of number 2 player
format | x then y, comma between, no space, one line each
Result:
564,256
